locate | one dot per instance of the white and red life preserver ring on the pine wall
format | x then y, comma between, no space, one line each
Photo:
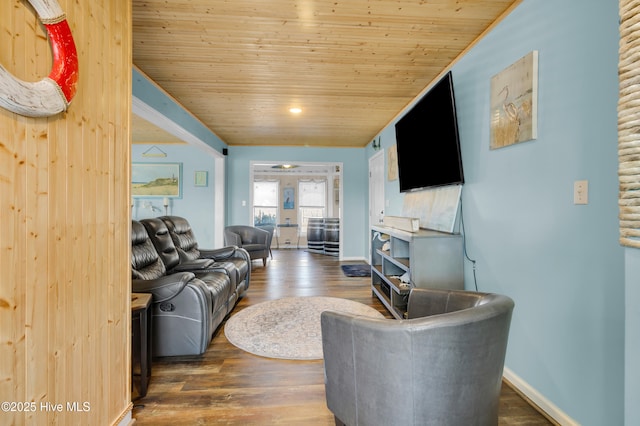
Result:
52,94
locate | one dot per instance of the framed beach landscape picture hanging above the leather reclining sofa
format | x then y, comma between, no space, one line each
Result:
156,180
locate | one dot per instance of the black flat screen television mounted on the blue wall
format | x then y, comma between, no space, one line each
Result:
427,141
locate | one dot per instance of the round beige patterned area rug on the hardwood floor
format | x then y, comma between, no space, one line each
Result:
287,328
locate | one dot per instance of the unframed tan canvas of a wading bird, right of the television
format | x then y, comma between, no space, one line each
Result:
514,103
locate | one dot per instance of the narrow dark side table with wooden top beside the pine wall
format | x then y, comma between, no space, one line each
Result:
141,341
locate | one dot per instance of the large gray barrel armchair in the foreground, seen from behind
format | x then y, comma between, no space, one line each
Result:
442,366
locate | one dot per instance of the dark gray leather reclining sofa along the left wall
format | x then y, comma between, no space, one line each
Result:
190,298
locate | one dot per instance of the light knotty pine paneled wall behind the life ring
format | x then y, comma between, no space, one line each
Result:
64,225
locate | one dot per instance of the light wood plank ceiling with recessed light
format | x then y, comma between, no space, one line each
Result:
351,65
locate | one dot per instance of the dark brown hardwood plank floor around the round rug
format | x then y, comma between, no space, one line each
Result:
229,386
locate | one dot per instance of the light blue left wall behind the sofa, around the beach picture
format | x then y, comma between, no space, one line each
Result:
196,203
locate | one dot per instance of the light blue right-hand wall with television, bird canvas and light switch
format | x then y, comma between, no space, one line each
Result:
560,262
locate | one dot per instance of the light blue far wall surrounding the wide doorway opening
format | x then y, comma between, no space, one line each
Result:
355,186
